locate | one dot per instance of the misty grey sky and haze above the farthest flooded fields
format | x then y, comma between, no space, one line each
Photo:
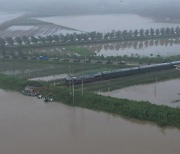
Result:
152,6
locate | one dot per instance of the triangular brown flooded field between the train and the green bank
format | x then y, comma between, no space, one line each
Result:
161,93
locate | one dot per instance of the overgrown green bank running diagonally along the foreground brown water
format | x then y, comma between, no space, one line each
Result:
162,115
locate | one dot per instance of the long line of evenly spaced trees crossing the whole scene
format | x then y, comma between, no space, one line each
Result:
91,36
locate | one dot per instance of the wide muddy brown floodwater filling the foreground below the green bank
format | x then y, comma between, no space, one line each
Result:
29,126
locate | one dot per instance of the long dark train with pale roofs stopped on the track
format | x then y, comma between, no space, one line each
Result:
119,73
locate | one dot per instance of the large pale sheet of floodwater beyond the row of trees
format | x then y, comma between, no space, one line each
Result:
106,23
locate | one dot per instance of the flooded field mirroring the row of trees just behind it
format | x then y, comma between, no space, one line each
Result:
147,48
